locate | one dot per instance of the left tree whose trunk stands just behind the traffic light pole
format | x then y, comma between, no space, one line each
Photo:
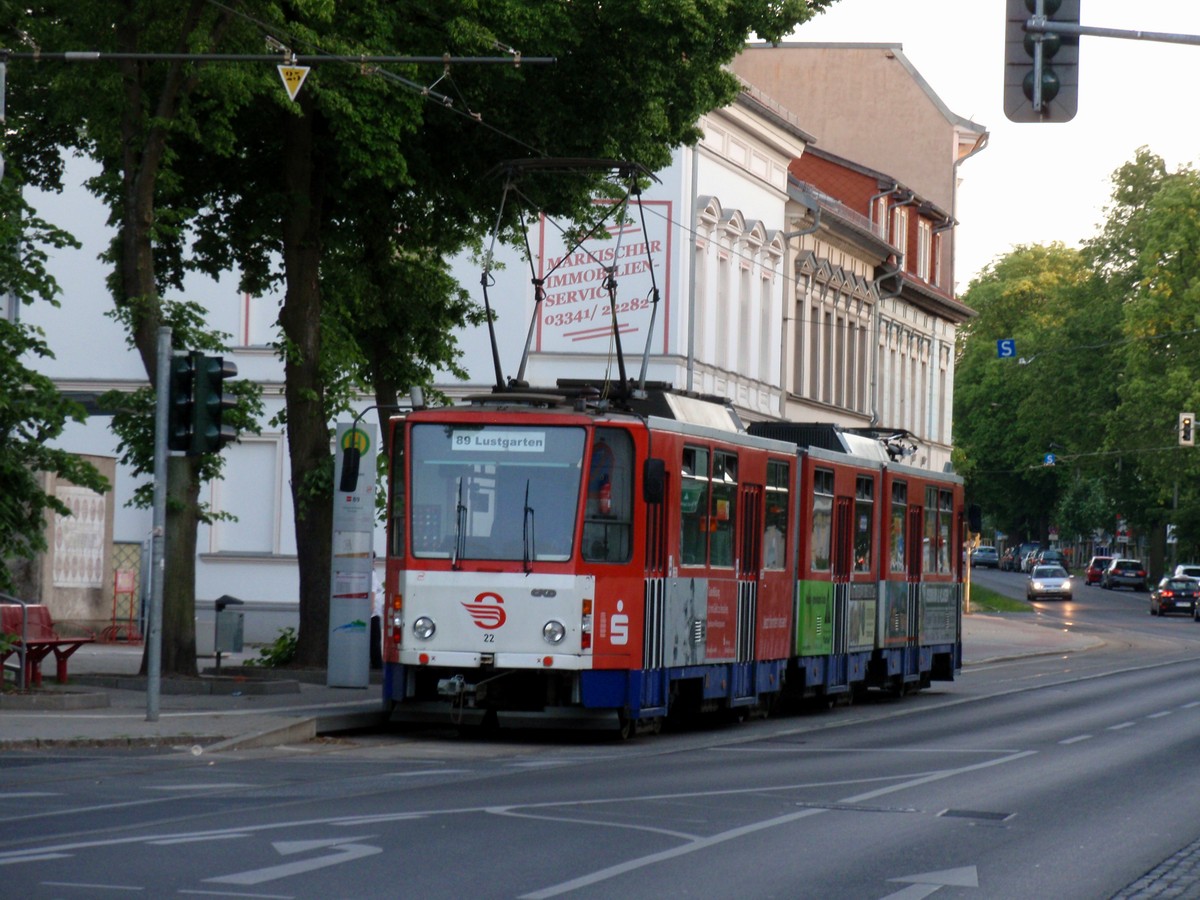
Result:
125,117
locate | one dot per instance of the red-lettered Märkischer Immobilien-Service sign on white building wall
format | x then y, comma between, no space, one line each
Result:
575,315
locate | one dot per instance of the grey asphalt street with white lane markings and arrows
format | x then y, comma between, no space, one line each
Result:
1066,777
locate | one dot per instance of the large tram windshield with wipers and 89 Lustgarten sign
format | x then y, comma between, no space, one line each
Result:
495,491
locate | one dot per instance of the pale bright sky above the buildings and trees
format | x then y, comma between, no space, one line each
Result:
1039,183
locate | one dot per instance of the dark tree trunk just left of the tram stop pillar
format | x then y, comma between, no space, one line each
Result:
308,423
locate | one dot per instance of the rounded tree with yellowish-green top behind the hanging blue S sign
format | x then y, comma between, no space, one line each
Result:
1052,400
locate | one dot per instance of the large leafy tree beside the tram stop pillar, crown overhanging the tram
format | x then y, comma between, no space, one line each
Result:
361,179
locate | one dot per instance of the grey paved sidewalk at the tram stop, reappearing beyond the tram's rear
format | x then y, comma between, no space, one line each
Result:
106,701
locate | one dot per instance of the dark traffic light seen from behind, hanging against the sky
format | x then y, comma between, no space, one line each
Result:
1041,68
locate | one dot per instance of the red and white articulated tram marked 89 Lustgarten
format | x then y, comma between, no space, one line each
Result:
557,560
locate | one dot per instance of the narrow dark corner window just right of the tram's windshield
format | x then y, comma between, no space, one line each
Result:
608,517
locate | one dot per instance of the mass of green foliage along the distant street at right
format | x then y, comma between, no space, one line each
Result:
1112,334
